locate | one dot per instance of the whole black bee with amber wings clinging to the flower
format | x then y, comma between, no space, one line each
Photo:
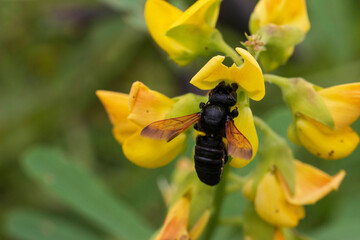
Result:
215,120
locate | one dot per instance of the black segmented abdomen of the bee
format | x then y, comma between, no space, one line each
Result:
209,159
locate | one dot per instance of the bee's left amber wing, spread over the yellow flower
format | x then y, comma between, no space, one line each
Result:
168,129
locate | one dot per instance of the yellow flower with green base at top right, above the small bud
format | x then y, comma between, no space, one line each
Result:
282,24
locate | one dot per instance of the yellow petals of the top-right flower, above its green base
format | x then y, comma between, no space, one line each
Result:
280,12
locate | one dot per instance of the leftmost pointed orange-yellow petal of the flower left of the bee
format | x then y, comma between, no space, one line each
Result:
116,106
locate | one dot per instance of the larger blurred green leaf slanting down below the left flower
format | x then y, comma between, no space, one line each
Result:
83,192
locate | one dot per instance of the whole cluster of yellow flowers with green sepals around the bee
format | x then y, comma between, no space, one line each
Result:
280,185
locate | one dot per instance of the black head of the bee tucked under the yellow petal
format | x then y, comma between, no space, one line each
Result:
224,94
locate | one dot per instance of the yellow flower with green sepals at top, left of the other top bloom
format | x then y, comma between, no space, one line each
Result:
183,35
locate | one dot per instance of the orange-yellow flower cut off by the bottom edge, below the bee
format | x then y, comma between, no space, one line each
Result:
177,220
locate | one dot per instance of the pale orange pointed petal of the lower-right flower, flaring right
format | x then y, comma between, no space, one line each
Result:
311,184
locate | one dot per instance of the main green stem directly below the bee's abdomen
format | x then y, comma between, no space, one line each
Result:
218,202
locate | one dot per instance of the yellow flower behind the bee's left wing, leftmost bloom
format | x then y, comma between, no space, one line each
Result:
129,114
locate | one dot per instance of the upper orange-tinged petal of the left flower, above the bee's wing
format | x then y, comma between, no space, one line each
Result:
147,106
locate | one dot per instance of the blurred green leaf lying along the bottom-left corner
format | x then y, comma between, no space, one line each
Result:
31,225
